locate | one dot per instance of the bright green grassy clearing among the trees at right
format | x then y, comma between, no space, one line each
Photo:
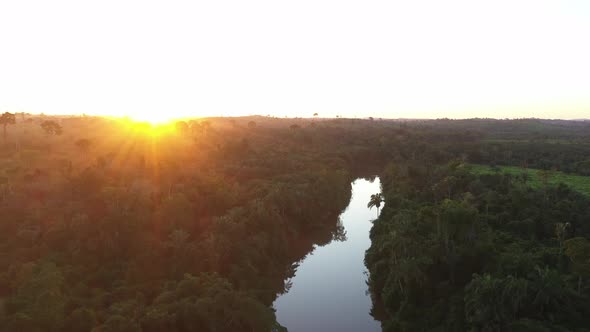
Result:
576,182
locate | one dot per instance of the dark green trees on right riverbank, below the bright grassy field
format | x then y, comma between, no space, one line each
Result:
481,252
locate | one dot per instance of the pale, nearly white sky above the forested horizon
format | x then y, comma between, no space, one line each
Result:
390,59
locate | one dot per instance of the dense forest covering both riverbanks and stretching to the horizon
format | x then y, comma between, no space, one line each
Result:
113,225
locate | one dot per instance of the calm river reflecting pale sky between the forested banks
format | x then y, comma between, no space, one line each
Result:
329,291
